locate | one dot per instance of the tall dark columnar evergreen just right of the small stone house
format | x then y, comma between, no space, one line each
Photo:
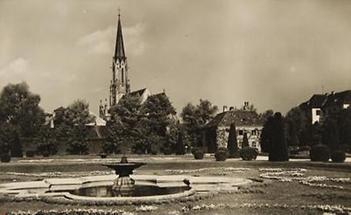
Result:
278,149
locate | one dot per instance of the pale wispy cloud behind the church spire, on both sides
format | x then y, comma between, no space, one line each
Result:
103,41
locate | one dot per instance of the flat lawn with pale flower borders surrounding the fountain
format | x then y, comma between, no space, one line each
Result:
295,187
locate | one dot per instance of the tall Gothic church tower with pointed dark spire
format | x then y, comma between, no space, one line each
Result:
119,85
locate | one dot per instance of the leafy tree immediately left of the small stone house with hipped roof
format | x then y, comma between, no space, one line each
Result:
195,118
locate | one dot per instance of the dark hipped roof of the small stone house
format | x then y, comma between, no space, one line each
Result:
239,117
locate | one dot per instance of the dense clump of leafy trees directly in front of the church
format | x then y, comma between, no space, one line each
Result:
145,128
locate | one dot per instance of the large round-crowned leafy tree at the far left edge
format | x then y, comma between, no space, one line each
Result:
20,110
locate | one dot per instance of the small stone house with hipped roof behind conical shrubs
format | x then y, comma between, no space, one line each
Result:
246,121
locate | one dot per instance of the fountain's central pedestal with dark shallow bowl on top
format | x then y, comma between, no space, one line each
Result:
124,185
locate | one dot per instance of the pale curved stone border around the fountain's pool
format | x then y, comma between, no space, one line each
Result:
54,190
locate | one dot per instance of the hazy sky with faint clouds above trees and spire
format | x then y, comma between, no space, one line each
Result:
272,53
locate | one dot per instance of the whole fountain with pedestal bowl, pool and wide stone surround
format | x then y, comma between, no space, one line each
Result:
126,188
